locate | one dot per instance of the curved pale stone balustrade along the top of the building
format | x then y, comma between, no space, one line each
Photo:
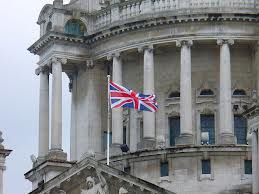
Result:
131,9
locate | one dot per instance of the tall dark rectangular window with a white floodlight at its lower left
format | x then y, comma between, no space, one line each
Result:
208,125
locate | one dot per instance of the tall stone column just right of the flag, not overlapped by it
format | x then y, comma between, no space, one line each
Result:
186,136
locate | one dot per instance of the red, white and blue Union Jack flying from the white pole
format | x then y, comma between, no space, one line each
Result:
123,97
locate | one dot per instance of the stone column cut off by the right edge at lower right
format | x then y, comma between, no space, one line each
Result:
255,161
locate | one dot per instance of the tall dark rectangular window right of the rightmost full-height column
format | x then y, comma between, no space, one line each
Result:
240,129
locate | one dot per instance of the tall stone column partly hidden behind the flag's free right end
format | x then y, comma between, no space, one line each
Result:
149,139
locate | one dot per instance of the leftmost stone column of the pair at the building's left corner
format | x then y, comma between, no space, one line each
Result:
43,111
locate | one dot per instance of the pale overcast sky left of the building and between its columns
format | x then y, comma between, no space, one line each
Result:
19,90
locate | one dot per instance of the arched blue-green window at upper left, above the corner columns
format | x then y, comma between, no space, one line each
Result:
75,27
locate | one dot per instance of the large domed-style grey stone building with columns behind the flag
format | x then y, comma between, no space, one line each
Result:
200,58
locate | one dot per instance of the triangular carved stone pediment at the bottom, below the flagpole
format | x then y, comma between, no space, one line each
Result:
91,177
